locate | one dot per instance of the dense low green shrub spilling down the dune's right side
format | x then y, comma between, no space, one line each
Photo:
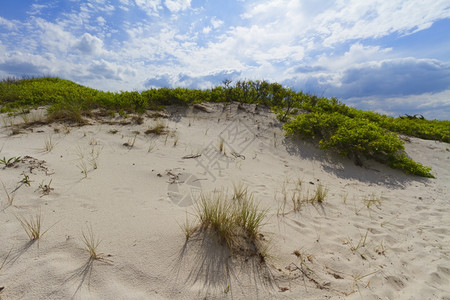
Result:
356,137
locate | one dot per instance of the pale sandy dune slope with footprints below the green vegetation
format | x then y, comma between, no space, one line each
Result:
137,196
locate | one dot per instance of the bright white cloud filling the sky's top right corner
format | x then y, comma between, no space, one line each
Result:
354,19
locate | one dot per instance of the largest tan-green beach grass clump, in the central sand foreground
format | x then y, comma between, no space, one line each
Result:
236,221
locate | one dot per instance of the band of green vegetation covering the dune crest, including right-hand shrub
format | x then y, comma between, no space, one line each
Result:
351,132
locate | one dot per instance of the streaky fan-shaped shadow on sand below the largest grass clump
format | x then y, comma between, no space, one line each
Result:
213,270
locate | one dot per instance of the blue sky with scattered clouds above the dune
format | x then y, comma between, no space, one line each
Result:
390,56
